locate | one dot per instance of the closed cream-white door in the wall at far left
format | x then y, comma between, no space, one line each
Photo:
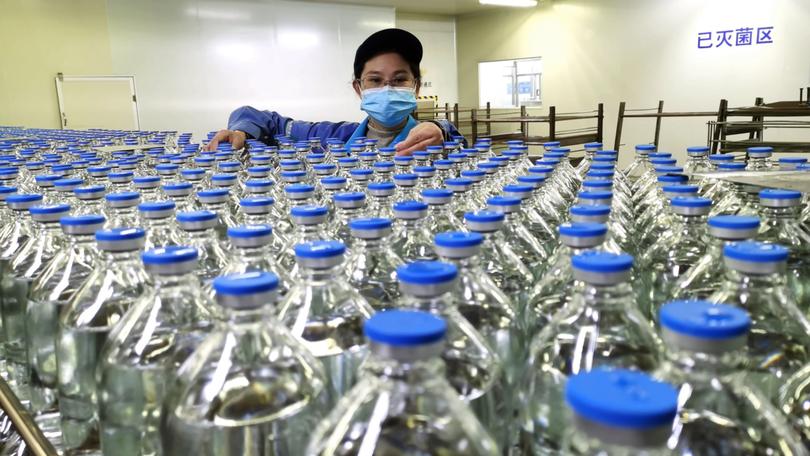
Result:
107,102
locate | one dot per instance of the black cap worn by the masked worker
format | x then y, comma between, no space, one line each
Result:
393,40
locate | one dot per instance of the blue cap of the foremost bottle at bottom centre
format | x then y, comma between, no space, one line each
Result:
404,328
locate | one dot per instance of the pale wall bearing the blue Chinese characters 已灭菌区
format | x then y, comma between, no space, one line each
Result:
641,51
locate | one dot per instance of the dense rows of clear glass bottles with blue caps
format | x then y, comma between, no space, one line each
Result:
337,302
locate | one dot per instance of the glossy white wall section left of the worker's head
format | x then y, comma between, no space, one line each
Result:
194,61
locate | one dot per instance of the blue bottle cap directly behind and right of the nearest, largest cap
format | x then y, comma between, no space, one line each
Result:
704,319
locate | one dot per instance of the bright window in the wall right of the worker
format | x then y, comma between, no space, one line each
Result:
510,83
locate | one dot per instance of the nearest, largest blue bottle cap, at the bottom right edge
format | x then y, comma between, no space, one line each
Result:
622,398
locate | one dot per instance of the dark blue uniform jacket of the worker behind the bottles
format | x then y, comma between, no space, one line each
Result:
264,125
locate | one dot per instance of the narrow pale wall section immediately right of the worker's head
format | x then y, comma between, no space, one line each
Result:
438,37
